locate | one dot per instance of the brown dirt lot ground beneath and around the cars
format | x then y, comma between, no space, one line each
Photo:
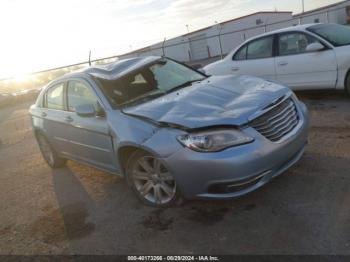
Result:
79,210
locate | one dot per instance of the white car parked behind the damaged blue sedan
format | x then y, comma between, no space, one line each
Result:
314,56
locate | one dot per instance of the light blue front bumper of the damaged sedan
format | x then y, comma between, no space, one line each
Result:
238,170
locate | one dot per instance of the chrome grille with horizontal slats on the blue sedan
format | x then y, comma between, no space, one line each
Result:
277,122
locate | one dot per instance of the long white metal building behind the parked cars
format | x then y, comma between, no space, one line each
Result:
220,39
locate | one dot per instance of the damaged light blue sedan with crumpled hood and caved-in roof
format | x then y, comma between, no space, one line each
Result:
170,130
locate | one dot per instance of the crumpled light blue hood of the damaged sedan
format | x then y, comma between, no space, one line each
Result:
217,100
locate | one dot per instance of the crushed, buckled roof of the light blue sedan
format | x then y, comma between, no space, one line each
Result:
113,70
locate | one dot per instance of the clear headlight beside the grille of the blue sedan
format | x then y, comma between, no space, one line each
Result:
214,140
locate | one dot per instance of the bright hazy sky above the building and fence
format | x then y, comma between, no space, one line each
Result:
41,34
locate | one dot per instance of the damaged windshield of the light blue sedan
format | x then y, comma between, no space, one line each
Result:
149,82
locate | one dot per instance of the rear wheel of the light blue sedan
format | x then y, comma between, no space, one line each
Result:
49,154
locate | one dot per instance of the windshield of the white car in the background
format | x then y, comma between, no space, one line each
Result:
337,35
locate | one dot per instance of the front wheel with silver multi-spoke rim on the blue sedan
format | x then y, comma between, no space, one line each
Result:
152,183
